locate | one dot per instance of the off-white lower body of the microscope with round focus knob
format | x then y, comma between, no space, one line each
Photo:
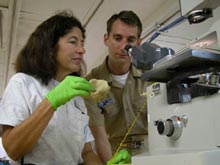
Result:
183,134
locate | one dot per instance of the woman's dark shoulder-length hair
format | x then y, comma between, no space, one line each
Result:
37,58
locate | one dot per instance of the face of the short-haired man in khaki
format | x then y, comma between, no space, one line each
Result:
121,35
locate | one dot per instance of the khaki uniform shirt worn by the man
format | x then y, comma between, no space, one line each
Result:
117,117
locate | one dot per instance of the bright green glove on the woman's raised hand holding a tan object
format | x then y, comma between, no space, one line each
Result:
70,87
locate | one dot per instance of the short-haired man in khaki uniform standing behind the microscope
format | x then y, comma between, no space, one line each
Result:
111,120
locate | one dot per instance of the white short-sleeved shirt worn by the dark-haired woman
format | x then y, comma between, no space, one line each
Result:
67,132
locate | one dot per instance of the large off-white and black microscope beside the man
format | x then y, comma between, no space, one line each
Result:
184,100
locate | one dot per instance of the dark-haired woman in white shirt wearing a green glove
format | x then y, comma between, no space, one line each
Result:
42,113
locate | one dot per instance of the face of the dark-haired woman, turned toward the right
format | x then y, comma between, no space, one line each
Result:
70,52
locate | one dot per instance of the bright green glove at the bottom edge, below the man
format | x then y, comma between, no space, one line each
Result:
122,157
